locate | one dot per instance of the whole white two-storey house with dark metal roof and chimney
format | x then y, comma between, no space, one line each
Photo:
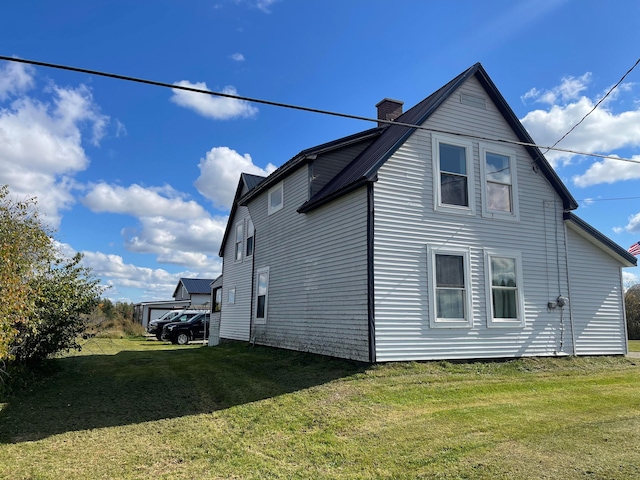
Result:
449,241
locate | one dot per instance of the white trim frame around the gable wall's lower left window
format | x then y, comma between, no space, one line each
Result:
435,322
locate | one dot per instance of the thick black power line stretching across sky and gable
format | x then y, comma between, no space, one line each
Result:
305,109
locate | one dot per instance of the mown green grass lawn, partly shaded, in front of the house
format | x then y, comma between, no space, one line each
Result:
143,409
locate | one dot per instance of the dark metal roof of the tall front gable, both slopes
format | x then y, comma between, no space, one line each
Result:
365,166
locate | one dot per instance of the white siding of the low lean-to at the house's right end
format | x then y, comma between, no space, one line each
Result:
597,307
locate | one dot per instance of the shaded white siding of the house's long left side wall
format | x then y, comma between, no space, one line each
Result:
317,297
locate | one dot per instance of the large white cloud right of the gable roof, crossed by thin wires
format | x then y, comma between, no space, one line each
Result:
603,131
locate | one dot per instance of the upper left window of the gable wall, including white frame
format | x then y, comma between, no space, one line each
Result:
453,174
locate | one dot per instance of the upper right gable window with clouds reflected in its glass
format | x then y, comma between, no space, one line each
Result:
499,182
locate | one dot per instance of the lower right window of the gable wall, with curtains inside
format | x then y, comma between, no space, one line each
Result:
504,290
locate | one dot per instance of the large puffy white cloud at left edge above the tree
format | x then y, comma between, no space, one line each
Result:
41,141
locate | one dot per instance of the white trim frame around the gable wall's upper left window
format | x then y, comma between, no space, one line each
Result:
436,140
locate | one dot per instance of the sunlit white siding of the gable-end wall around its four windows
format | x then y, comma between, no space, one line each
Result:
406,222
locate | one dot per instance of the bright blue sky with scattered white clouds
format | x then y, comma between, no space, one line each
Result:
140,178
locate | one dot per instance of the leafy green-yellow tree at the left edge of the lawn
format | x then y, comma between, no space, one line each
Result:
43,294
